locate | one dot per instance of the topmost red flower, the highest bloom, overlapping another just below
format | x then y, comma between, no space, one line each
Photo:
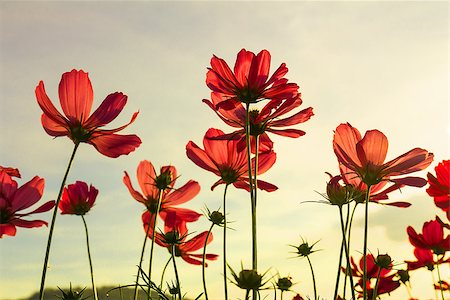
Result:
250,82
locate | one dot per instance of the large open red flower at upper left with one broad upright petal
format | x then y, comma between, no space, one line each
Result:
76,97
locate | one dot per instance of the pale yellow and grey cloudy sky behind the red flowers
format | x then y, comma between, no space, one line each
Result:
377,65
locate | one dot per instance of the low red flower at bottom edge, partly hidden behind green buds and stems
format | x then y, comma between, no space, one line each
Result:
386,282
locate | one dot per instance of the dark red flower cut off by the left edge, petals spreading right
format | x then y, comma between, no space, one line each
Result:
14,199
